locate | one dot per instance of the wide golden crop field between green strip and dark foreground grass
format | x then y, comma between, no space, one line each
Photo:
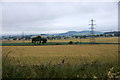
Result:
72,54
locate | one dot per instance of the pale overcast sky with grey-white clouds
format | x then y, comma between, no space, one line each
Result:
57,17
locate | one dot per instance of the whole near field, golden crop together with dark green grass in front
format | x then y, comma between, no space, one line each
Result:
61,61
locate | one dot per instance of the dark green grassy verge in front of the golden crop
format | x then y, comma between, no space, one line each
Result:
95,69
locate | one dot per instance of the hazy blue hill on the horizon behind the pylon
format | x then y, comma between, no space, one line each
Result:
76,33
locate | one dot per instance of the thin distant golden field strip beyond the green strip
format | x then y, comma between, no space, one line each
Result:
99,40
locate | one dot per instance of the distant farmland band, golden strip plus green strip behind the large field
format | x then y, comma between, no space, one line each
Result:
102,40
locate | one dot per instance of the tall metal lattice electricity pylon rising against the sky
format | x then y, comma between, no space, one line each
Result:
92,32
